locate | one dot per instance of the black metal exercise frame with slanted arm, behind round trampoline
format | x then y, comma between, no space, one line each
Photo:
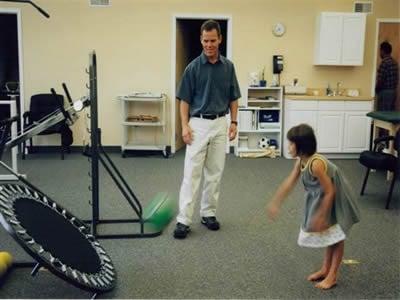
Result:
96,153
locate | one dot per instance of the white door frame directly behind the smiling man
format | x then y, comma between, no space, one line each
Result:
228,38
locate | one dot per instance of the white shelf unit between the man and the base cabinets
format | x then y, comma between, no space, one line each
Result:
260,117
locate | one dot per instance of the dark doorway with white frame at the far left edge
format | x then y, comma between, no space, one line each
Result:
11,85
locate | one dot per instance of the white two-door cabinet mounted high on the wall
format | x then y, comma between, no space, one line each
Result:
340,39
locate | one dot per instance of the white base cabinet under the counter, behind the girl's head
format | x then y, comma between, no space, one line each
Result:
341,127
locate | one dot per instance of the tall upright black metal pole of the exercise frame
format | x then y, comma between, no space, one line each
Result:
94,142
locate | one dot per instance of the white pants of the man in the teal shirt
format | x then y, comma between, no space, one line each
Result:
204,157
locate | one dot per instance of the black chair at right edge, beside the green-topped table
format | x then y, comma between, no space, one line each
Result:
378,160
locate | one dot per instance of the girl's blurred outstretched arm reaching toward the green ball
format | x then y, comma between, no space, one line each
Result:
283,191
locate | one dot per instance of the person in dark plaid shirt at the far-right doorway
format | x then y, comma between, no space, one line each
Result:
387,79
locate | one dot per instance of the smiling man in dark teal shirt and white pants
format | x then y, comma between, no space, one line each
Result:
207,92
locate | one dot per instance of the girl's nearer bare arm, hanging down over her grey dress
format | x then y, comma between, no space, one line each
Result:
318,169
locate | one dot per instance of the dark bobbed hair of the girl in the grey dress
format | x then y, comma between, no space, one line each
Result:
303,137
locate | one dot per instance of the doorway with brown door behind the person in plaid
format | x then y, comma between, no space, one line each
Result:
388,30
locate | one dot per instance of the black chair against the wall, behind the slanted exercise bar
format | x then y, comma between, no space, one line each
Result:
41,106
